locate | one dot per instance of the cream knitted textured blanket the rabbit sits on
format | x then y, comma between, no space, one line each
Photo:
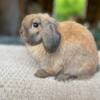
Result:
17,80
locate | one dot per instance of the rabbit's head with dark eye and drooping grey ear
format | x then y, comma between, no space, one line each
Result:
40,28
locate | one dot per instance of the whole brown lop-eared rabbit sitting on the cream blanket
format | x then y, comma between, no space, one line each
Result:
64,49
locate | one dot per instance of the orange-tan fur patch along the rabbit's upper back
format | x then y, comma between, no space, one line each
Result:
75,33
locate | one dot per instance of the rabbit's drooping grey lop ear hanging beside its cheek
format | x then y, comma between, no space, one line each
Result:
51,37
